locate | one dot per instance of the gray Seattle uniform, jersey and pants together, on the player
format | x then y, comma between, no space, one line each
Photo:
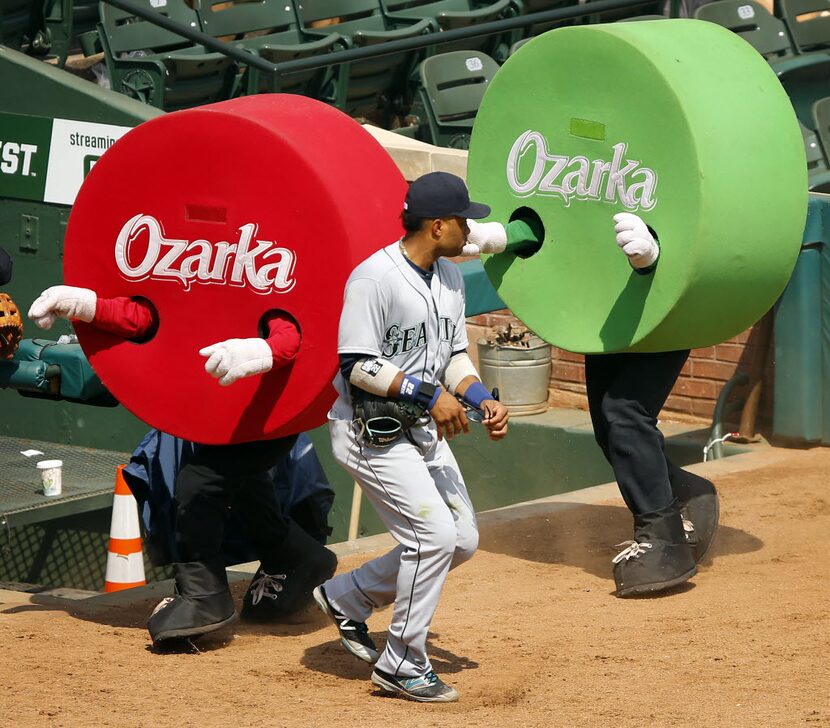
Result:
414,485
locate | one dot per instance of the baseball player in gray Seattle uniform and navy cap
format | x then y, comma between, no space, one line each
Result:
402,346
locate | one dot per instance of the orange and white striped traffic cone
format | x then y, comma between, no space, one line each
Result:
125,562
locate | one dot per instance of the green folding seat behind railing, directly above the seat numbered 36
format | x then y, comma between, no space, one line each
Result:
453,14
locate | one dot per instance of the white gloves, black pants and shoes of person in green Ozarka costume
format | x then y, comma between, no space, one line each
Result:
675,512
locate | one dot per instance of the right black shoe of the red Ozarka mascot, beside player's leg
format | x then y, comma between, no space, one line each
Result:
283,584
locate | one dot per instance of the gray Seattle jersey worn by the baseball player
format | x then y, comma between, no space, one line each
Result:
390,312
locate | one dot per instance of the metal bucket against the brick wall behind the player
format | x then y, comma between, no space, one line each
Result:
521,374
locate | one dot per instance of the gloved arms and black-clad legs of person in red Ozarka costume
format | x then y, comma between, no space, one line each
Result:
215,478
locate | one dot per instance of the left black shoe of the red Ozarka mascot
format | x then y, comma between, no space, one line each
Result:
202,604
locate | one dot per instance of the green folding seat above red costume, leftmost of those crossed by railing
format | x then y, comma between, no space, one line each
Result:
158,66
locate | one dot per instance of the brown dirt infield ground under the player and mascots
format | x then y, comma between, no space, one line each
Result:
527,631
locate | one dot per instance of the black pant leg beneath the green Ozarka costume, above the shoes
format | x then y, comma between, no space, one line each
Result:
625,395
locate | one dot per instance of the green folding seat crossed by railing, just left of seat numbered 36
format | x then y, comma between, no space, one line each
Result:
374,85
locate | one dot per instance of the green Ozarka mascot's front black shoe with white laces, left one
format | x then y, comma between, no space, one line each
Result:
658,558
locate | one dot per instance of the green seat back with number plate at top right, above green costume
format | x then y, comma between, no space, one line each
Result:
752,22
